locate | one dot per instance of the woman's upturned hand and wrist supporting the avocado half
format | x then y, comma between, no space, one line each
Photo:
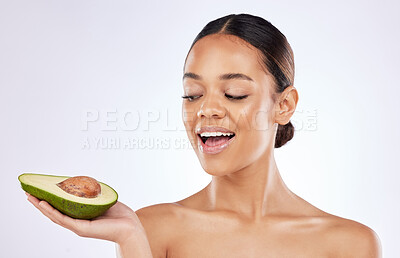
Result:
119,224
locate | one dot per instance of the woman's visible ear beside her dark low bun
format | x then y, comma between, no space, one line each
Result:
286,105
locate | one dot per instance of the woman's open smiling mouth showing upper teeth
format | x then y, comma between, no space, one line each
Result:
213,143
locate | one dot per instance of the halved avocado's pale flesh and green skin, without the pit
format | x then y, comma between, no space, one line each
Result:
44,187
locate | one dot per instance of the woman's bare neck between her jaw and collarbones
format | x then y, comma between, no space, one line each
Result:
253,192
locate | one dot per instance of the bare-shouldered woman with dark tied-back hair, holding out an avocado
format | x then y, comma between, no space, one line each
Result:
238,101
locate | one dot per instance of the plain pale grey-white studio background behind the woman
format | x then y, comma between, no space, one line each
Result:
94,88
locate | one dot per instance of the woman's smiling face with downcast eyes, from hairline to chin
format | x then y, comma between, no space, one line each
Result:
219,68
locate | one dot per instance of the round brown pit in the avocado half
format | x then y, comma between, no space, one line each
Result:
81,186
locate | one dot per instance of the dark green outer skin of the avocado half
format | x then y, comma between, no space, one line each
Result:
67,207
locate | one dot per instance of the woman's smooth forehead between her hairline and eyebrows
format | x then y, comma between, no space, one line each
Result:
217,53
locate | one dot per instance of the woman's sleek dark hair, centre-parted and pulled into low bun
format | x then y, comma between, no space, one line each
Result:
277,55
